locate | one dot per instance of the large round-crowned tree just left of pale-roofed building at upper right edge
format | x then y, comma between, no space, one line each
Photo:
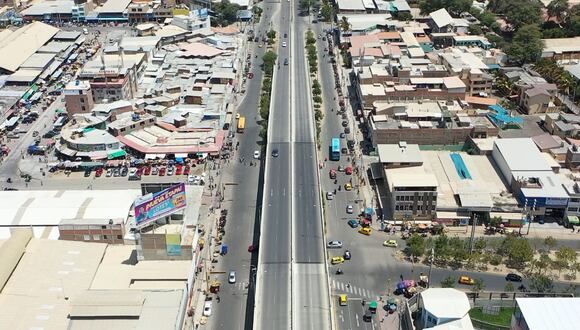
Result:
526,45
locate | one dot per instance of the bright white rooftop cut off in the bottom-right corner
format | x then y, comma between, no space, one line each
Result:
550,313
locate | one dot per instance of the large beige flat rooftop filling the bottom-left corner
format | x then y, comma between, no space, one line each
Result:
37,294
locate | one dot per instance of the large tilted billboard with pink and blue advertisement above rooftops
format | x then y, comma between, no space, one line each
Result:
160,204
